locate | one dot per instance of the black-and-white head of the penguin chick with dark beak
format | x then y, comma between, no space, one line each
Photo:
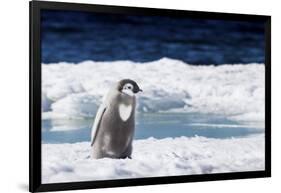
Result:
129,87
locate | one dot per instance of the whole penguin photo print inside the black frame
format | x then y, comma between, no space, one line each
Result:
135,96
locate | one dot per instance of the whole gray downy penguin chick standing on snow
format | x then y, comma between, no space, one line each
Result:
114,125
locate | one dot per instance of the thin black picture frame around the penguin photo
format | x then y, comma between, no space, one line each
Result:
35,184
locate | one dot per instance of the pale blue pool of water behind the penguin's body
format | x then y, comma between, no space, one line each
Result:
157,125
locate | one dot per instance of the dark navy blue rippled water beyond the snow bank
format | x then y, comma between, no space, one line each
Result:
79,36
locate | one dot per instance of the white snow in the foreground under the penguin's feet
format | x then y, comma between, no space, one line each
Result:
154,157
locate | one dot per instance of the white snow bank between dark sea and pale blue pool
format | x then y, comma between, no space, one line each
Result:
75,90
